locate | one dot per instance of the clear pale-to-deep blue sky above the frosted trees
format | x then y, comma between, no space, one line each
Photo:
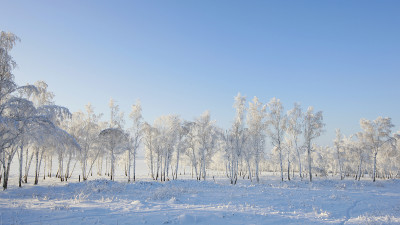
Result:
184,57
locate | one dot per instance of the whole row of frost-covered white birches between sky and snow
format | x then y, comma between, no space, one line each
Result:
262,137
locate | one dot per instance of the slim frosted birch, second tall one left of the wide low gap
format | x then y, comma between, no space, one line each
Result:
294,130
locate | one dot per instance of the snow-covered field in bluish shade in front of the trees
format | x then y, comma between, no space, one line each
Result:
186,201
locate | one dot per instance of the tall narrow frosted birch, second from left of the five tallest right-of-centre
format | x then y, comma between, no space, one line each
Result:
256,130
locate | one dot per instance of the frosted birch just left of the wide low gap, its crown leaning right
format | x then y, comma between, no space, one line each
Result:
312,128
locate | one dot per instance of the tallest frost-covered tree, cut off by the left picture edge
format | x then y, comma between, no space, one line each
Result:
16,112
